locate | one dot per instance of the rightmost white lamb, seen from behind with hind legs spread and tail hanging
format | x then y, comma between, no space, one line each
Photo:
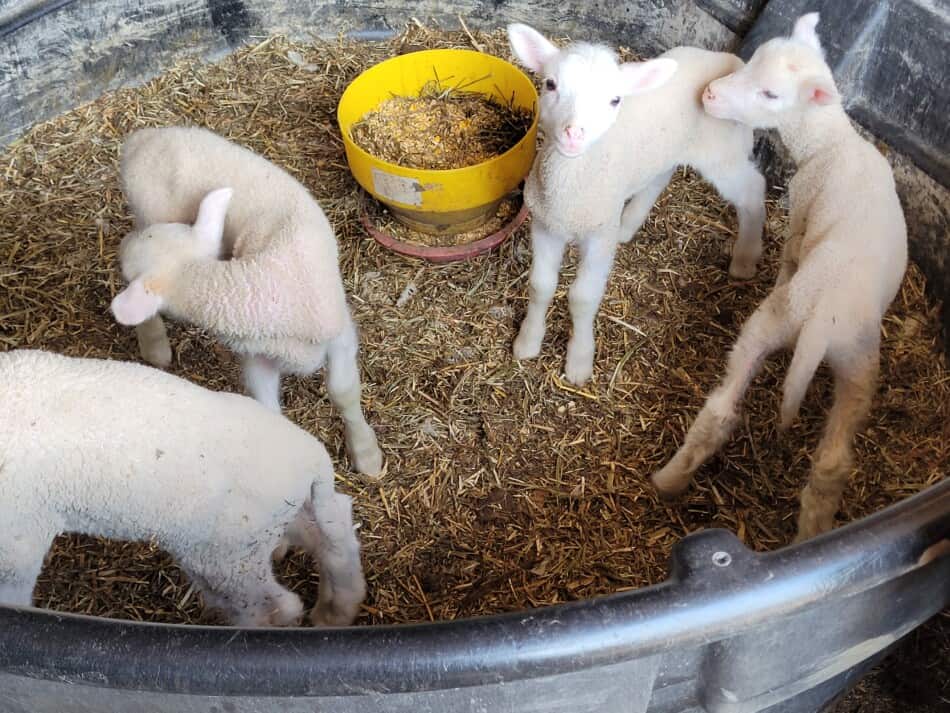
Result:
841,267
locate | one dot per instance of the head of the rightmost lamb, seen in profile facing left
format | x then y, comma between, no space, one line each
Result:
784,78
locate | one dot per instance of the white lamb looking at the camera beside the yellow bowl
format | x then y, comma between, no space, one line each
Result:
608,155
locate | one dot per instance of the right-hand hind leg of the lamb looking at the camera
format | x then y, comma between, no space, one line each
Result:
743,186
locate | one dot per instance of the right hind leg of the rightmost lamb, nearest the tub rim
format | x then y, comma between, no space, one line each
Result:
855,384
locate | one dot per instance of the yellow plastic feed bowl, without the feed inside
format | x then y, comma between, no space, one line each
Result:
447,201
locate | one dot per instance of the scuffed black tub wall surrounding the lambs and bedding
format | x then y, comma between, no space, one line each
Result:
731,631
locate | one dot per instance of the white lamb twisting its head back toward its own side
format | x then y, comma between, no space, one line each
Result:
262,275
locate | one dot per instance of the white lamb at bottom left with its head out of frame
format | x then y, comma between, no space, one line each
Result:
126,451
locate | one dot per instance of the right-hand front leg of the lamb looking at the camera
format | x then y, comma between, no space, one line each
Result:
596,260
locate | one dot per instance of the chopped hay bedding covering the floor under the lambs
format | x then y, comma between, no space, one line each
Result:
506,487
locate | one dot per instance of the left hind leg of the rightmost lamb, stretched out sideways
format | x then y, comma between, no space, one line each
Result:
763,333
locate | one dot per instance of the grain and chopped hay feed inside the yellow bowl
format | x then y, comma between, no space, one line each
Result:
446,126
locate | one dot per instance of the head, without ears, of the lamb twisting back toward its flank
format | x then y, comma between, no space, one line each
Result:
159,249
